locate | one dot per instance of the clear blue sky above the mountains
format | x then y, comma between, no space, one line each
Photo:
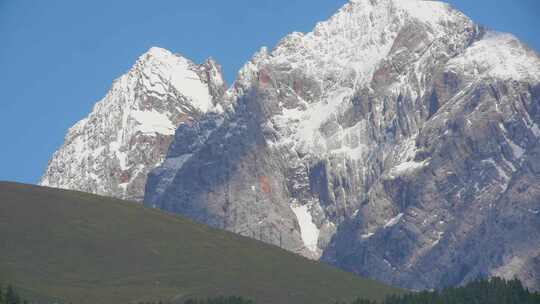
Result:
57,58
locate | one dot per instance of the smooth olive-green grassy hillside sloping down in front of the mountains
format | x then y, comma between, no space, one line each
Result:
84,248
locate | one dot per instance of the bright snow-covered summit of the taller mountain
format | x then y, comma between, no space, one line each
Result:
362,33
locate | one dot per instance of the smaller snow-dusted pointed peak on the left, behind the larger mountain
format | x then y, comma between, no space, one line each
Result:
128,132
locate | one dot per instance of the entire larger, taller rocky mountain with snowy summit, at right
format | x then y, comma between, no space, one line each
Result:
398,140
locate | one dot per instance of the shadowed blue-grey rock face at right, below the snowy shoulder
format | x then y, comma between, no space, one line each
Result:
464,206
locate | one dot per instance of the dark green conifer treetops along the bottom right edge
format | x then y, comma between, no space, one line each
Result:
492,291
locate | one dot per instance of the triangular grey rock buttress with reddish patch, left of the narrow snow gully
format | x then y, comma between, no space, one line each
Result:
227,176
